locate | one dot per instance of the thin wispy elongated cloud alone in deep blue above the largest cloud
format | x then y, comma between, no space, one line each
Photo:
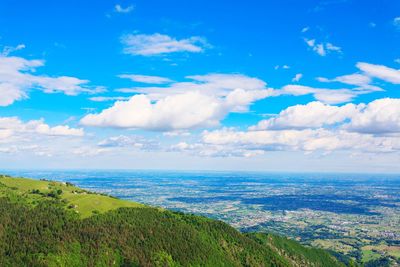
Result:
157,44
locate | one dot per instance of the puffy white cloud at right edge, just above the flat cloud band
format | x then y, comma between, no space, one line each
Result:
381,116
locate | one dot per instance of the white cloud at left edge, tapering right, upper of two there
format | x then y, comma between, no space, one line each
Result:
17,77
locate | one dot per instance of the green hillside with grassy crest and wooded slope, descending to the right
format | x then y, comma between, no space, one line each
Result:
45,223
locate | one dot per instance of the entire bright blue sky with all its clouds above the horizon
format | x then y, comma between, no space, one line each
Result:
256,85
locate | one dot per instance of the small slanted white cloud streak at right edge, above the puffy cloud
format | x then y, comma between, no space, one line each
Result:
380,71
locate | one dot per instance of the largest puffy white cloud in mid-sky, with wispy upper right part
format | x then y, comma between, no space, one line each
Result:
202,102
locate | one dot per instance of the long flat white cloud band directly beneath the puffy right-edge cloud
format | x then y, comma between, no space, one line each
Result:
307,140
